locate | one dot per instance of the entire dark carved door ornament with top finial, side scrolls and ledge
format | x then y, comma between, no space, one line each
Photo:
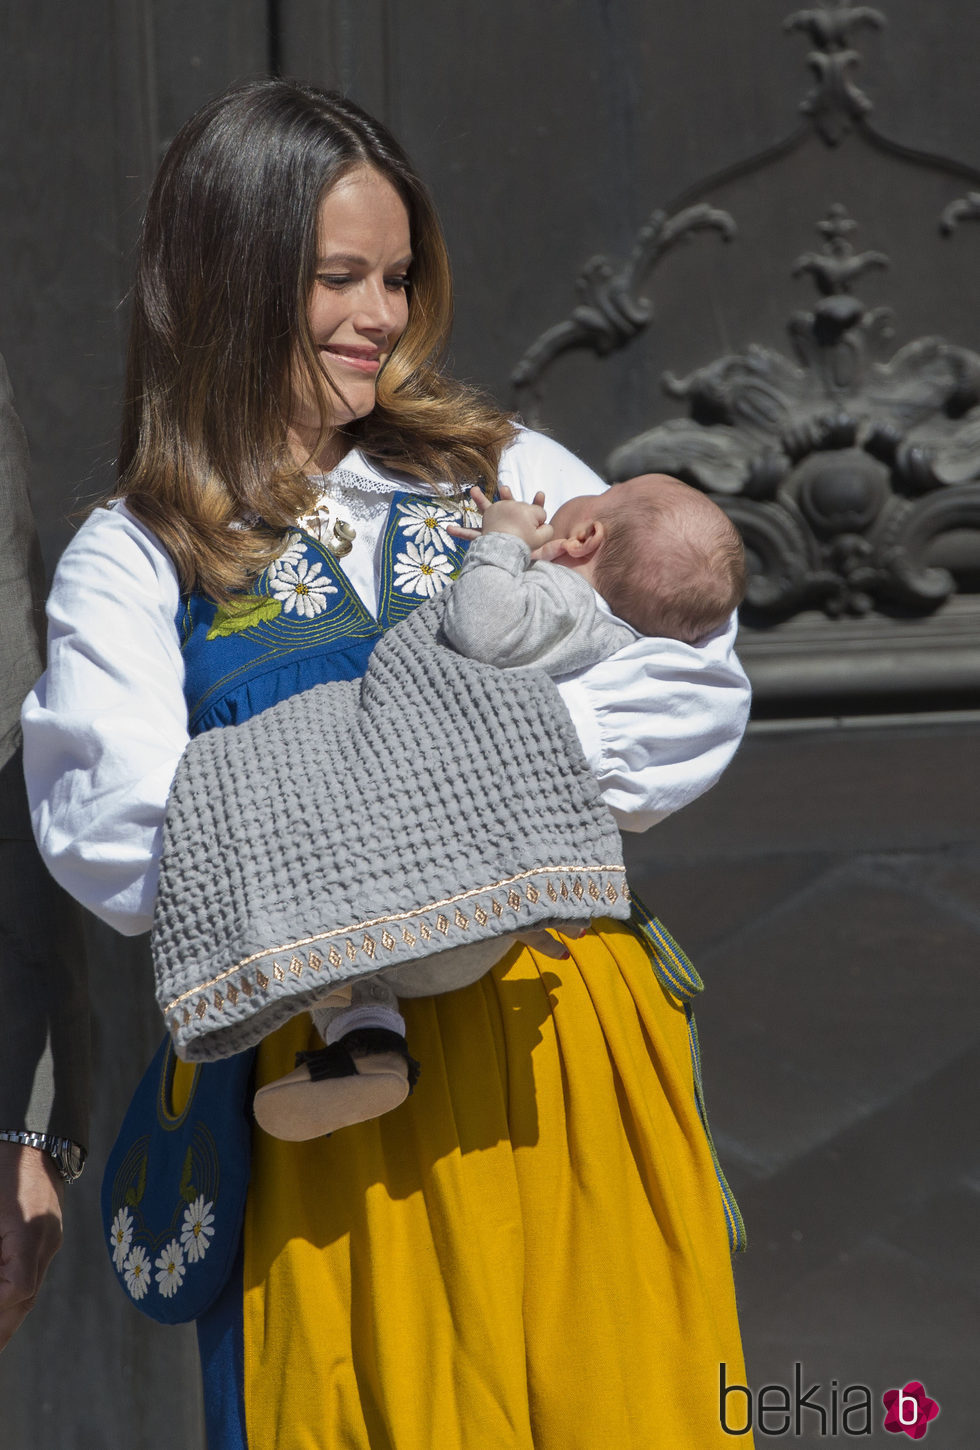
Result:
850,465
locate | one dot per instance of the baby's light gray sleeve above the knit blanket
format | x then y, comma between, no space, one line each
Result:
508,613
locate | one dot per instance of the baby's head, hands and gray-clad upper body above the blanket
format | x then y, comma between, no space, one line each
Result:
662,556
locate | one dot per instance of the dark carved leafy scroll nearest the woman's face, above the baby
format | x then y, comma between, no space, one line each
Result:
612,312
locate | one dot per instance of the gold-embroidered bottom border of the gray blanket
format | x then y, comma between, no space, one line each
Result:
279,977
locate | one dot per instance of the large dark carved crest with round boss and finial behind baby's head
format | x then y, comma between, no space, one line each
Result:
840,469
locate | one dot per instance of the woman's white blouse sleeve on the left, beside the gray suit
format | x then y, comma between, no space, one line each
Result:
107,724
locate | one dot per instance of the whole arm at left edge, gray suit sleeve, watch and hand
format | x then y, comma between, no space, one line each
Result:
44,1024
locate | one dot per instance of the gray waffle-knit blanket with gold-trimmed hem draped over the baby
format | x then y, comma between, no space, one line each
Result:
408,824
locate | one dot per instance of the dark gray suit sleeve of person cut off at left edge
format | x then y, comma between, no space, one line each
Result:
44,1014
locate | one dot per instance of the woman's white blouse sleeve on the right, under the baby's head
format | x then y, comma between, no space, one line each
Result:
660,720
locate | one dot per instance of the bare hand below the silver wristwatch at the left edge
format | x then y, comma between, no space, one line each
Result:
31,1198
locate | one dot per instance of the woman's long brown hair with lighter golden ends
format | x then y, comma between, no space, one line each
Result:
220,321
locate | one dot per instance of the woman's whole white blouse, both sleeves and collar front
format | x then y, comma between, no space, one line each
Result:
107,724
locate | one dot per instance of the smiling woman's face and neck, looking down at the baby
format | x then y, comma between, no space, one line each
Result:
360,305
